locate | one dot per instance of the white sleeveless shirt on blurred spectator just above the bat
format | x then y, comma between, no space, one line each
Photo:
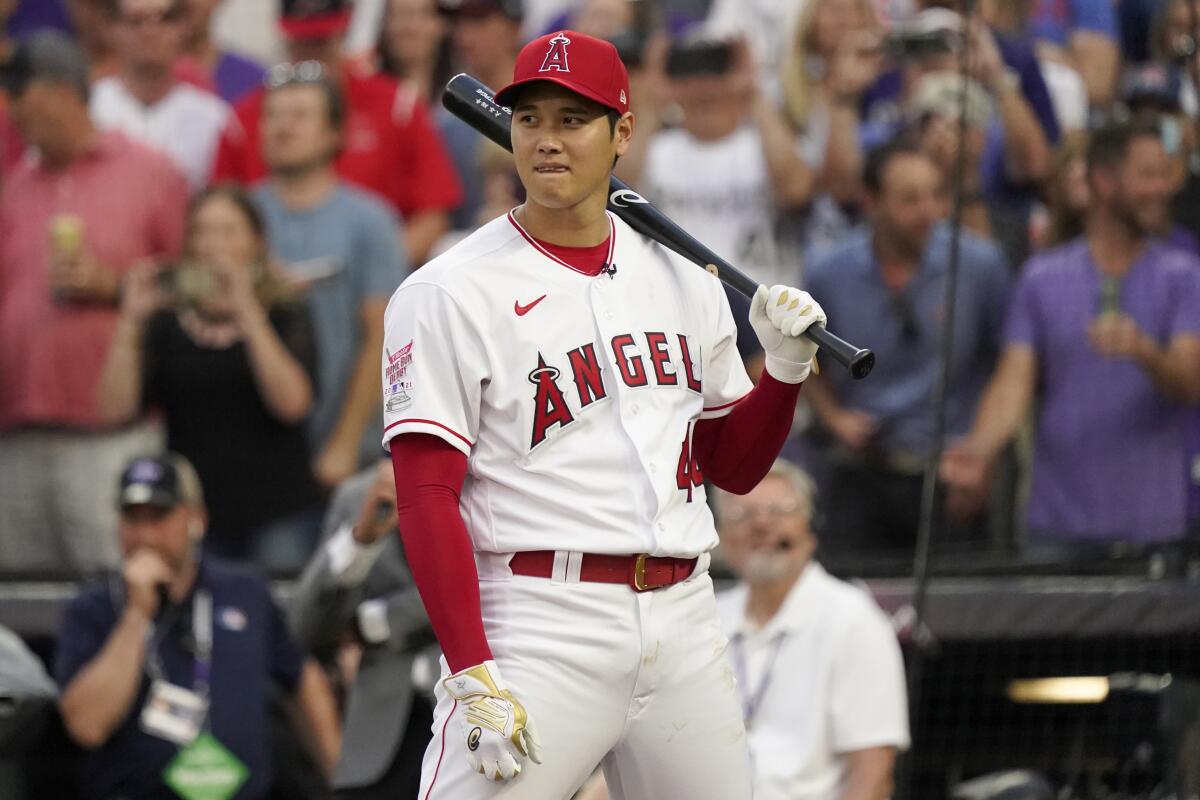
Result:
721,193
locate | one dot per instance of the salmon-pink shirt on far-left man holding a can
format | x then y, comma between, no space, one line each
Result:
133,203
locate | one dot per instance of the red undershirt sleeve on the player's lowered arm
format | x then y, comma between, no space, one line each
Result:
430,474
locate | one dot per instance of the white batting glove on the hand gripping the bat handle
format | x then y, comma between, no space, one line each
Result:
779,316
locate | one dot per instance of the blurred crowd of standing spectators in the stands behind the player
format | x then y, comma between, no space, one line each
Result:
206,207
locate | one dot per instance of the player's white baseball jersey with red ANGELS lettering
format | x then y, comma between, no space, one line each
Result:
573,396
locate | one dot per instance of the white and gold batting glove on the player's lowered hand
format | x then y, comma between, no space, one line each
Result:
496,729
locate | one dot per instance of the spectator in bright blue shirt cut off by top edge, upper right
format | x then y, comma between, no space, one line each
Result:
1083,34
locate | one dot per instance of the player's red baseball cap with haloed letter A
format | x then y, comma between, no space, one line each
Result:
586,65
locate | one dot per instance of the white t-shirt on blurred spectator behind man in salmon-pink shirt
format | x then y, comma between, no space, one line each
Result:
185,125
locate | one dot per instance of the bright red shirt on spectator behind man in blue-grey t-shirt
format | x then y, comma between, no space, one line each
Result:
391,147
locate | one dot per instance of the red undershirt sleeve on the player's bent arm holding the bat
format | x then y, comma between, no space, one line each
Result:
736,452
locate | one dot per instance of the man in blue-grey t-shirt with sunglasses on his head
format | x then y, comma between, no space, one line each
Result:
346,244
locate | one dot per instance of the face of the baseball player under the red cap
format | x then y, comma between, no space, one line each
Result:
563,146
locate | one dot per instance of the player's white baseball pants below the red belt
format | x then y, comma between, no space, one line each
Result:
637,683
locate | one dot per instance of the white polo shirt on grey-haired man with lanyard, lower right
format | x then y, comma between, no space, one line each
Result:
821,679
